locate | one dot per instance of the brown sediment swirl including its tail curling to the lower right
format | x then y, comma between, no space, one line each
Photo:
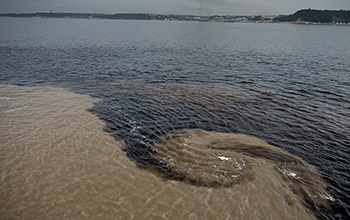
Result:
214,159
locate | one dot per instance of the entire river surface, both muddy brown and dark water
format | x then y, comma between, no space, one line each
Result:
192,120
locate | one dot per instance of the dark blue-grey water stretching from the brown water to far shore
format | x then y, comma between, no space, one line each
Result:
286,84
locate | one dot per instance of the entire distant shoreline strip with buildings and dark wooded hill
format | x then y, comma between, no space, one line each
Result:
304,16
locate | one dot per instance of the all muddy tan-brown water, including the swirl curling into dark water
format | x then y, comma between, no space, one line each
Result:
58,162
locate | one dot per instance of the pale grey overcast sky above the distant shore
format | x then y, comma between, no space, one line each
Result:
204,7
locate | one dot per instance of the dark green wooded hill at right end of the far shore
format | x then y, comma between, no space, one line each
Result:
312,15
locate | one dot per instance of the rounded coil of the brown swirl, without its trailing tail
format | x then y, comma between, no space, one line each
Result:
190,156
